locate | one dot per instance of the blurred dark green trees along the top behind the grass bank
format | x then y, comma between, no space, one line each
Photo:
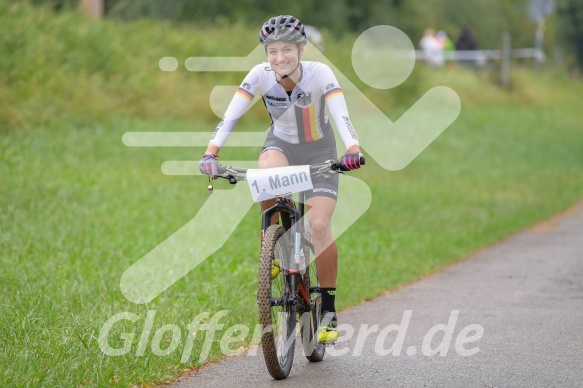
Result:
488,20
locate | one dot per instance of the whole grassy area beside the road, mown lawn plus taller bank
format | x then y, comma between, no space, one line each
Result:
77,207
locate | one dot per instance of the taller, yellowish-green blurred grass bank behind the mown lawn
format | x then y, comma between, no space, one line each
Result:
87,69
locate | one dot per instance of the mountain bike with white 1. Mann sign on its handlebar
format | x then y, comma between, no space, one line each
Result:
288,284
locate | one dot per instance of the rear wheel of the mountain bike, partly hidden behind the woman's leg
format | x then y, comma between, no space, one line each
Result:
311,317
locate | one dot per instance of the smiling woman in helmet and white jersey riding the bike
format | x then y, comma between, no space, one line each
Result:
296,94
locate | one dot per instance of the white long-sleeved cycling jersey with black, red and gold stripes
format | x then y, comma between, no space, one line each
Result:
299,117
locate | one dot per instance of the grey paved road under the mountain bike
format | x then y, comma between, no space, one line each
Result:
518,306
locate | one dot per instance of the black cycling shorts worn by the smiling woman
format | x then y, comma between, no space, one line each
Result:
315,152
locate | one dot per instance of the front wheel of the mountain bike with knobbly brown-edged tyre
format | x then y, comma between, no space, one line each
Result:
277,316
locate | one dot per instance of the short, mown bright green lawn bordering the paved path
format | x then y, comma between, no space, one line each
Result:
79,207
